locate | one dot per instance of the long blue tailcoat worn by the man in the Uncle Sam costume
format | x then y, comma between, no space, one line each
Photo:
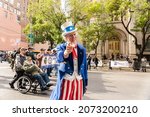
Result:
66,67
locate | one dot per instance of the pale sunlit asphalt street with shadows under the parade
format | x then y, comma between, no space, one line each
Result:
102,85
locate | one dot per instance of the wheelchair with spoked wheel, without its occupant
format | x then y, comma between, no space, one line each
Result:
27,83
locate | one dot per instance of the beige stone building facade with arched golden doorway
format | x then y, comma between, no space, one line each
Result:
122,43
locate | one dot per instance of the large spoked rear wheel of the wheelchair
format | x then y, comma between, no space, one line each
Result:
24,84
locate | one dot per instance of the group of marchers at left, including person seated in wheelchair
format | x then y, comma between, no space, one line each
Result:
25,60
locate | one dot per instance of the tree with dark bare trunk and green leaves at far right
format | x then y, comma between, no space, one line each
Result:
128,11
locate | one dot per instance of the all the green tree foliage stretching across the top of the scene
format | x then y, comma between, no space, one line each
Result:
93,19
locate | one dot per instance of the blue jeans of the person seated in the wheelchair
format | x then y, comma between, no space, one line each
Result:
42,79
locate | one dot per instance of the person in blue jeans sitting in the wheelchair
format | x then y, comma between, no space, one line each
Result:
37,73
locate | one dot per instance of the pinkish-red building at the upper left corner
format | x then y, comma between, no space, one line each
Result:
11,25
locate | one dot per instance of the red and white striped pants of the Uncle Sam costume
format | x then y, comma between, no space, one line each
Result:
71,90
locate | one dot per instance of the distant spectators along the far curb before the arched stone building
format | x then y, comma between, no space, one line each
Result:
135,64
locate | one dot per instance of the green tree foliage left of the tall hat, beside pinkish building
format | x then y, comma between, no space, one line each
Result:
45,18
